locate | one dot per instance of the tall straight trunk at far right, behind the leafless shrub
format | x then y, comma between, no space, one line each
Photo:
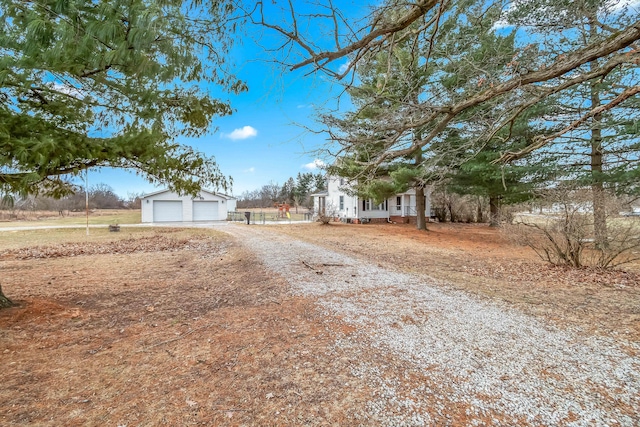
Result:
597,186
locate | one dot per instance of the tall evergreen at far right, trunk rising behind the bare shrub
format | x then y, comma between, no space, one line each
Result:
597,121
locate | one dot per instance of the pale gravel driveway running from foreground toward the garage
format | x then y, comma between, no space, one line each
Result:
455,357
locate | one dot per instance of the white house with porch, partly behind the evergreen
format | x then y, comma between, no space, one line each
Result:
399,208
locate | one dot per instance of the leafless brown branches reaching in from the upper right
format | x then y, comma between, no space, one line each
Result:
513,88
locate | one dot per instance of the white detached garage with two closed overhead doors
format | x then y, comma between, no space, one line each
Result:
168,206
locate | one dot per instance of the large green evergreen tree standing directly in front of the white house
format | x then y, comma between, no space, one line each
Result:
391,95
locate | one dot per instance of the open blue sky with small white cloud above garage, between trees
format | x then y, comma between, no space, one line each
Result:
264,140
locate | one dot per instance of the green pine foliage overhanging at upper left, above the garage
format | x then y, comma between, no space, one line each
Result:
109,83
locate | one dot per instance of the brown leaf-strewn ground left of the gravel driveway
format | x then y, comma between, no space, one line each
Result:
175,336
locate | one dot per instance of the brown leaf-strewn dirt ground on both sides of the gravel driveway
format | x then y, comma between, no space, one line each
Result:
185,327
